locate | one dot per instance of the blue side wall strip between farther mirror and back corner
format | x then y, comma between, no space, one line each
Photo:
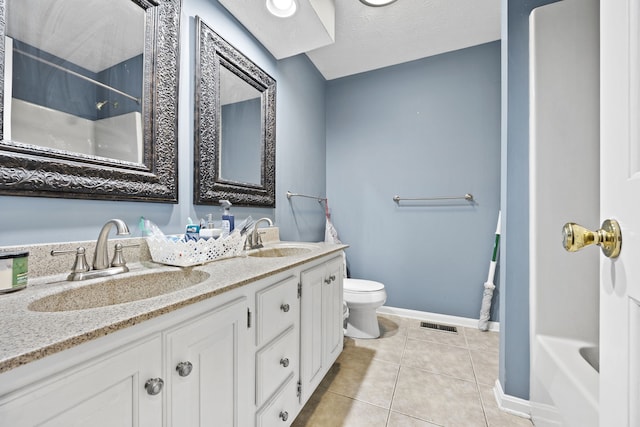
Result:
301,154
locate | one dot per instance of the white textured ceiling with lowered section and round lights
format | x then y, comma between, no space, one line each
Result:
367,38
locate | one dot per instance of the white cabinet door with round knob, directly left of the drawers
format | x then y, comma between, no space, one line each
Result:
214,393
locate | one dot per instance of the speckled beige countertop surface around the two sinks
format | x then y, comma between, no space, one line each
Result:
27,335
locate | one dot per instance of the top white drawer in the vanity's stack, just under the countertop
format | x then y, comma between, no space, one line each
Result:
277,307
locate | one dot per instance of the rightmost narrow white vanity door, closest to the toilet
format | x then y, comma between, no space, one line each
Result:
332,298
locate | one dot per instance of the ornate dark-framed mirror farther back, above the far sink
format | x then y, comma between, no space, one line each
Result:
235,125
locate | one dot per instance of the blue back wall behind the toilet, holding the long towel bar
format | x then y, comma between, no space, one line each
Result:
426,128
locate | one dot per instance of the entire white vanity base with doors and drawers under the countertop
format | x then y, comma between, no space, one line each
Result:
247,357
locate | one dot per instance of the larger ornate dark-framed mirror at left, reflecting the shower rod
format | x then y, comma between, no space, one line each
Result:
89,99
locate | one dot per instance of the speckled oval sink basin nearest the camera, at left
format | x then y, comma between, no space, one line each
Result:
119,290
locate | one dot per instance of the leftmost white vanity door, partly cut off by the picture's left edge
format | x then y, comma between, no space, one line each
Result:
108,392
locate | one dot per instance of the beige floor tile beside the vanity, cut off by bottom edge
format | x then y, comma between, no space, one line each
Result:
327,409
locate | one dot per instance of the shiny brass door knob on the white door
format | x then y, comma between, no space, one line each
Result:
609,237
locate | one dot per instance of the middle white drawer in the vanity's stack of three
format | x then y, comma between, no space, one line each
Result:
274,363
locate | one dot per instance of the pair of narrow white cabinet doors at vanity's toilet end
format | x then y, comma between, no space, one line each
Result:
321,329
